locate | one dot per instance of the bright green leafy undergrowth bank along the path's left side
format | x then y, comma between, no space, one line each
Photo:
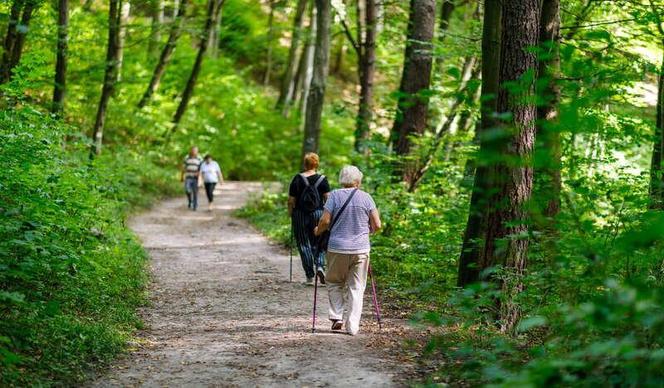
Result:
71,274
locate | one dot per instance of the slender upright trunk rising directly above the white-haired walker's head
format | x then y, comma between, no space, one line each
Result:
367,67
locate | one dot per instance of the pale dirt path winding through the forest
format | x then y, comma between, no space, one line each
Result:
224,314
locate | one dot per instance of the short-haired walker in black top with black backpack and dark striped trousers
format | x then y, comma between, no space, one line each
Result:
307,194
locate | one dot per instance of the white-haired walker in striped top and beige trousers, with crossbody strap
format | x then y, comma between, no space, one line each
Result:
354,217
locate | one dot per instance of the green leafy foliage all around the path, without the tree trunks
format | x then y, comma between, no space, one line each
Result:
71,275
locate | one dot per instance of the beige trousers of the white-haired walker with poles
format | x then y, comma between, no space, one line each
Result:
346,280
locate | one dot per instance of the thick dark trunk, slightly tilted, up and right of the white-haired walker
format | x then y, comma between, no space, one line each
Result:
412,107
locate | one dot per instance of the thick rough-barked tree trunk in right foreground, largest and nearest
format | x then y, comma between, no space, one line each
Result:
505,241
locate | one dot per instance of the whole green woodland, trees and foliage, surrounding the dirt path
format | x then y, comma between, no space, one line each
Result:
514,149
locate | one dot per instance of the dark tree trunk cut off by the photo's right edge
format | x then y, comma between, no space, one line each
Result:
656,167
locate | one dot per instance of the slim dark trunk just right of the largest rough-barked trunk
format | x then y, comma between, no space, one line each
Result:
549,153
